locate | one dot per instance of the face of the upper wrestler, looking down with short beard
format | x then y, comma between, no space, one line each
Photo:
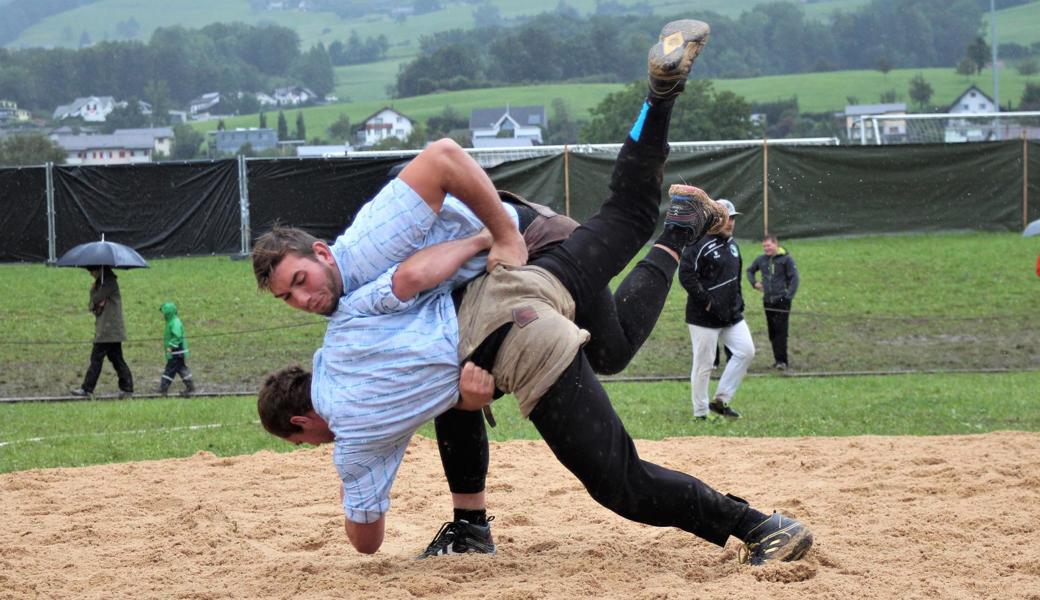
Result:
310,284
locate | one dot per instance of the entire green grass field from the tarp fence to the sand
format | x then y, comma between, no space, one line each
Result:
935,302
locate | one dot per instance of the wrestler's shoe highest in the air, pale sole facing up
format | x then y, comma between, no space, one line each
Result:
673,57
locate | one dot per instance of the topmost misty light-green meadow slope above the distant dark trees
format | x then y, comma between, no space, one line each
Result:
99,19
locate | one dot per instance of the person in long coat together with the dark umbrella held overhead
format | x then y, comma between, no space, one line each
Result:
107,304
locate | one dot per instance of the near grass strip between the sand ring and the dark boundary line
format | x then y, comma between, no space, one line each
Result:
79,434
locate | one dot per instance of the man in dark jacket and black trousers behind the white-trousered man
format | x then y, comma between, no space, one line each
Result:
779,285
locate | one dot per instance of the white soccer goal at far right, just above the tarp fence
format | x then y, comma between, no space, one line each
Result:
946,128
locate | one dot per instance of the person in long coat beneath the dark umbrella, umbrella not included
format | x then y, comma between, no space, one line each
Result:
110,333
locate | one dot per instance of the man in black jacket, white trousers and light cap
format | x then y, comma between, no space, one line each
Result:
711,273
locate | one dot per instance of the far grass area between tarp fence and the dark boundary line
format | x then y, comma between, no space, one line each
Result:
869,304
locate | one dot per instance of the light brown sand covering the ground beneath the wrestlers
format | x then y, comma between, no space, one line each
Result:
895,517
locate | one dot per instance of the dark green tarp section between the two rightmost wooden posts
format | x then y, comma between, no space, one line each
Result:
873,190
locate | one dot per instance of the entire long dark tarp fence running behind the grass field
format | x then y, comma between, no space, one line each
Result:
195,208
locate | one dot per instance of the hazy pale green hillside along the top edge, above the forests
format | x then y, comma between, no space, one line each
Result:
98,19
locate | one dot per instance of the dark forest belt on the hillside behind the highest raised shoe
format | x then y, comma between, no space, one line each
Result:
774,39
